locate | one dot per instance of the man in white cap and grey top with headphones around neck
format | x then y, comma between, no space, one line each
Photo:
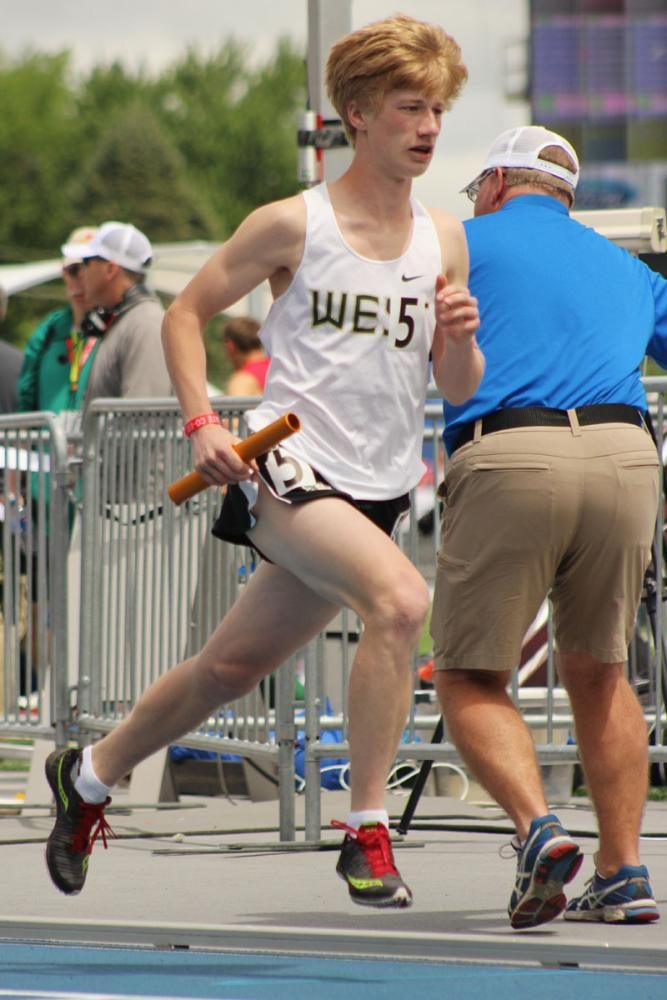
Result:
127,317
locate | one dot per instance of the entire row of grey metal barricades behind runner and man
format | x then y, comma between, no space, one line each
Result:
147,584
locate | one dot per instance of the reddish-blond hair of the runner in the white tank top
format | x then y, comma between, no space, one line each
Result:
398,53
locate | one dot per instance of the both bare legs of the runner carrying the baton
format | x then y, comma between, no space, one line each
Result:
337,558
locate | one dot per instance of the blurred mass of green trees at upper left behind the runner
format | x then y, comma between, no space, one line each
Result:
185,154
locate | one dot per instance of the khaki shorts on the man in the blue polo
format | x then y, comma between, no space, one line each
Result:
530,511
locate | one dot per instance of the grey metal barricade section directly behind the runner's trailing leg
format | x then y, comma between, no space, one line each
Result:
155,584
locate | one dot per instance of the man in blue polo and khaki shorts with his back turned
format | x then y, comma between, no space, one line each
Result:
552,487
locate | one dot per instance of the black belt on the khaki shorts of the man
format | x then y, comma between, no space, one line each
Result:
544,416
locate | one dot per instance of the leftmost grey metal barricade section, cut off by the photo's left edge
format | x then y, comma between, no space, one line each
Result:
34,527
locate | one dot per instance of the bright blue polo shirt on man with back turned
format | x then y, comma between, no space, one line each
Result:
566,316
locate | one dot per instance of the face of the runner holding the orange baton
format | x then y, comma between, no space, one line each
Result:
405,128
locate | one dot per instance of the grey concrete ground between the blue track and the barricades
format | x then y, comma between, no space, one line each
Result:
211,872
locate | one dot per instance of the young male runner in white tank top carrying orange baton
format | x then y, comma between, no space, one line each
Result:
354,267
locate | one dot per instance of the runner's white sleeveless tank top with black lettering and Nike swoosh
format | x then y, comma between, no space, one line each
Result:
349,342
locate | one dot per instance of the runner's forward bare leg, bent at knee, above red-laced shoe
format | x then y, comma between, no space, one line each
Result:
346,559
